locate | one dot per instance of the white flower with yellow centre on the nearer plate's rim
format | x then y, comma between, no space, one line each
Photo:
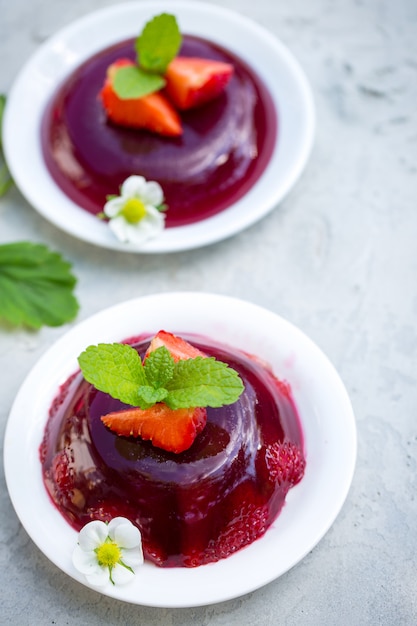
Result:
108,551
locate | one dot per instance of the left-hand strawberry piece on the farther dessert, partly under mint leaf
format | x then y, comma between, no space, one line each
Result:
153,112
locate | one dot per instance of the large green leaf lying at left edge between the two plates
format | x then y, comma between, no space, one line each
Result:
36,286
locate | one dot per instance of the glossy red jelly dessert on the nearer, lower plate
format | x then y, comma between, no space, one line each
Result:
192,508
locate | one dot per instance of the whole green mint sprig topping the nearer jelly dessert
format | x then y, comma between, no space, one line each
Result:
117,369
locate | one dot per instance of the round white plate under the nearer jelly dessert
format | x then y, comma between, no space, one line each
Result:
311,507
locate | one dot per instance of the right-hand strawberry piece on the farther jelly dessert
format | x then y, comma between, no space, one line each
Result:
192,82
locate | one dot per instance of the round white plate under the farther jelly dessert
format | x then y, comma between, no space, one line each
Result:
60,55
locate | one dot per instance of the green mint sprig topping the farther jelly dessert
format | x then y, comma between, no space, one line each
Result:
155,47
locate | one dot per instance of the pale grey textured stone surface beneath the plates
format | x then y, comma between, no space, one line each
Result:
338,258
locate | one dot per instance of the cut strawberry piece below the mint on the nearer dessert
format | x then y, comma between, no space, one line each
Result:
171,430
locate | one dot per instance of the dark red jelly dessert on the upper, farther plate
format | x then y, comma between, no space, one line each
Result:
225,146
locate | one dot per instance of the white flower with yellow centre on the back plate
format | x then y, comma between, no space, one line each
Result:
134,215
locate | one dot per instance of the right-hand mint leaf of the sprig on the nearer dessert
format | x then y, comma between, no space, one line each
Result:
202,382
